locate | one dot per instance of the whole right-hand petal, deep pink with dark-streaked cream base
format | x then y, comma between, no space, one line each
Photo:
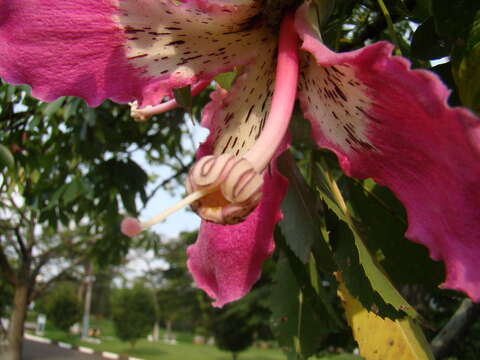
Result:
393,124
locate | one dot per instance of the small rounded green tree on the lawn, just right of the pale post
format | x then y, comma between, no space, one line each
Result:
132,311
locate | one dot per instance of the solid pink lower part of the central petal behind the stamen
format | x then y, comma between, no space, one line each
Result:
226,260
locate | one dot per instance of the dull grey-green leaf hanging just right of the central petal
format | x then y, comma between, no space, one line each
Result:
301,225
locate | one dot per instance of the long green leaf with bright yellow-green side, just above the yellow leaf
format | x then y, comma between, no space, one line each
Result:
346,255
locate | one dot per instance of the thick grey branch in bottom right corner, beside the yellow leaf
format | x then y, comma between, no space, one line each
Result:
464,317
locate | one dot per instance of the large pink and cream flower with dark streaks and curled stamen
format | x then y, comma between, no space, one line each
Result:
382,119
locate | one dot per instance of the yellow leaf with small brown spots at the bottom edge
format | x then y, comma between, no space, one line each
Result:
383,339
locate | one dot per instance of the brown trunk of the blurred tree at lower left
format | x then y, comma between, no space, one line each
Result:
17,321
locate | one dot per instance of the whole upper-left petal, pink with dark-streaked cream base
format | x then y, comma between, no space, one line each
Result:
96,50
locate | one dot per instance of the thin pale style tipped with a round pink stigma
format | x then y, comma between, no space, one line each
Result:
132,227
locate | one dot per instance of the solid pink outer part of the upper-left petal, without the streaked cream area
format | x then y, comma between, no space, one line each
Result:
66,48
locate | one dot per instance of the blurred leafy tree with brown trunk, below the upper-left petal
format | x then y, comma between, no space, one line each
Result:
68,173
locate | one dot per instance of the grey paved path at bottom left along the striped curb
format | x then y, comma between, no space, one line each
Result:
38,351
